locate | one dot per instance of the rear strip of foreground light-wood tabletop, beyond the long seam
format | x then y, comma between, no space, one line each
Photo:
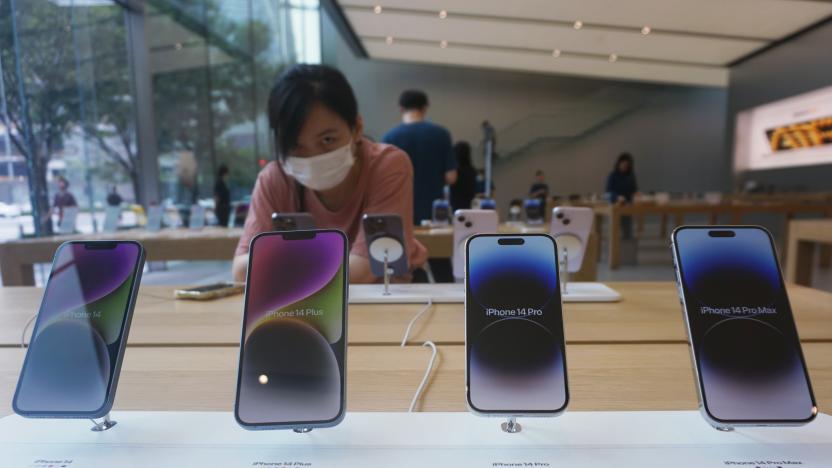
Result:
648,313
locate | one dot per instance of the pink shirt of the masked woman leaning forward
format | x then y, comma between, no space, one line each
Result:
385,168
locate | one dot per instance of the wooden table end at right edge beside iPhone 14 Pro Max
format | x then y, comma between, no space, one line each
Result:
803,235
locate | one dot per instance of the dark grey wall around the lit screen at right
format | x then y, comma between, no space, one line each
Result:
794,67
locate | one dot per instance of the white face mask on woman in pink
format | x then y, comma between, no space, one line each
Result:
321,172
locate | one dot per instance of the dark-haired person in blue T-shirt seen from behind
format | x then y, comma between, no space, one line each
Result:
430,149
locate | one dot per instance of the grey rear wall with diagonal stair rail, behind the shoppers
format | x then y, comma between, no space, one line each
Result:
677,134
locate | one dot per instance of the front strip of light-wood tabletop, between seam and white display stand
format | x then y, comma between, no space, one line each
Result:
383,378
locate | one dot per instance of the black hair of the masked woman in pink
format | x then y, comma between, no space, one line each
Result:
296,91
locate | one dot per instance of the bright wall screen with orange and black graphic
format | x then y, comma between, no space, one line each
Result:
795,131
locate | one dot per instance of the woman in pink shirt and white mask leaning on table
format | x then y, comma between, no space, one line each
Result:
326,168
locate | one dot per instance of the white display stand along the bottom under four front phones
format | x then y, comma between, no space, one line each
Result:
577,439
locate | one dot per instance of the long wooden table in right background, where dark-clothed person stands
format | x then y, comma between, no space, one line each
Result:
609,215
